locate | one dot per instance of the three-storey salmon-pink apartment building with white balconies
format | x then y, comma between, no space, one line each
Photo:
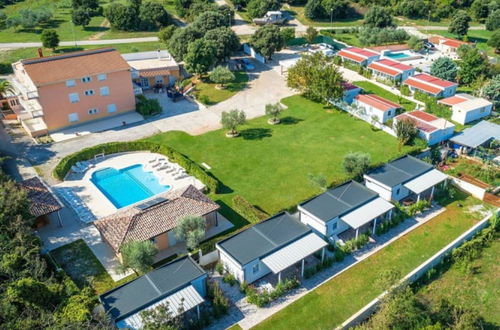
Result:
58,91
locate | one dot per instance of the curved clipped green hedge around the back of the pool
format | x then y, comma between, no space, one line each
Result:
191,167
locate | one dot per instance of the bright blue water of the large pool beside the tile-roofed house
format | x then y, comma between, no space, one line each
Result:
128,185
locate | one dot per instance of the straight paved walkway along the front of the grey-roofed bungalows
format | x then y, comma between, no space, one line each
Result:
247,315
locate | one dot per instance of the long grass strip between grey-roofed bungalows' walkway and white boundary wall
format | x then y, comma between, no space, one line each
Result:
336,300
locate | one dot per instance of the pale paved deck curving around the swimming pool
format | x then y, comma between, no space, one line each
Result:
96,201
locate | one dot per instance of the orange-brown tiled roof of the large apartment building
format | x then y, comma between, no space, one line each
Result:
52,69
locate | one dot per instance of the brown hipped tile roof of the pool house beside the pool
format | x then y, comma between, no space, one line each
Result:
136,224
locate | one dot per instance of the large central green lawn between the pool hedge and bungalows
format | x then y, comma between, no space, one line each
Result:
275,160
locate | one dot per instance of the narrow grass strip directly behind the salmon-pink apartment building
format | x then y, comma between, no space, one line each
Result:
10,56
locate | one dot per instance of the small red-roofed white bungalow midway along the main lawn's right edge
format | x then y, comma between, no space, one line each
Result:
374,105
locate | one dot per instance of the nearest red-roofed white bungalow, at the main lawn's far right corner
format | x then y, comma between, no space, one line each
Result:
430,128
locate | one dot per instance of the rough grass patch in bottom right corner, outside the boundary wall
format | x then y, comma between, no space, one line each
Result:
480,290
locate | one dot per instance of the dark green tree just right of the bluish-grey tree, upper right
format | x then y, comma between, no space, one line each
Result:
473,64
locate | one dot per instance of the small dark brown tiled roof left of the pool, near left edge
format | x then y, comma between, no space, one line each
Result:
42,202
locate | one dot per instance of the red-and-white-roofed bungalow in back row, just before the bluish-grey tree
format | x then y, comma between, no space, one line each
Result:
431,85
